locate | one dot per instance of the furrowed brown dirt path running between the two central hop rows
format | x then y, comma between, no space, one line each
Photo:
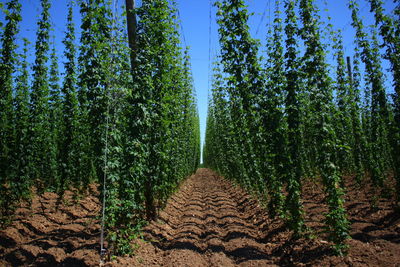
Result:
209,222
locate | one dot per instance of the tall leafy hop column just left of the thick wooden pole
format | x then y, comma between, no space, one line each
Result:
95,54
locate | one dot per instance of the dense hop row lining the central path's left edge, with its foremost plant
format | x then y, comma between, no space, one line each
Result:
154,139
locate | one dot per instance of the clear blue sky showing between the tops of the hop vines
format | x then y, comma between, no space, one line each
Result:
196,24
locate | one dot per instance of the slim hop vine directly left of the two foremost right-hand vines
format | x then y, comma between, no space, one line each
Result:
273,119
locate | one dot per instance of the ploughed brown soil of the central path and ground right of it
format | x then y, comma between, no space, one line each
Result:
211,222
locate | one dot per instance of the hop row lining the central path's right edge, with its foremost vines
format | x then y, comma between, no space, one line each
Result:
257,124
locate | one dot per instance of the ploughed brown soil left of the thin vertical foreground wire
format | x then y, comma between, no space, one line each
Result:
53,232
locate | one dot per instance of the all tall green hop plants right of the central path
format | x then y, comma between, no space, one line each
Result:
273,124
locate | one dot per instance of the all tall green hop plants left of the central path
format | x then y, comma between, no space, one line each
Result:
131,127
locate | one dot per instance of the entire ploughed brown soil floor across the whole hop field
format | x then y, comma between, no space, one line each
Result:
208,222
